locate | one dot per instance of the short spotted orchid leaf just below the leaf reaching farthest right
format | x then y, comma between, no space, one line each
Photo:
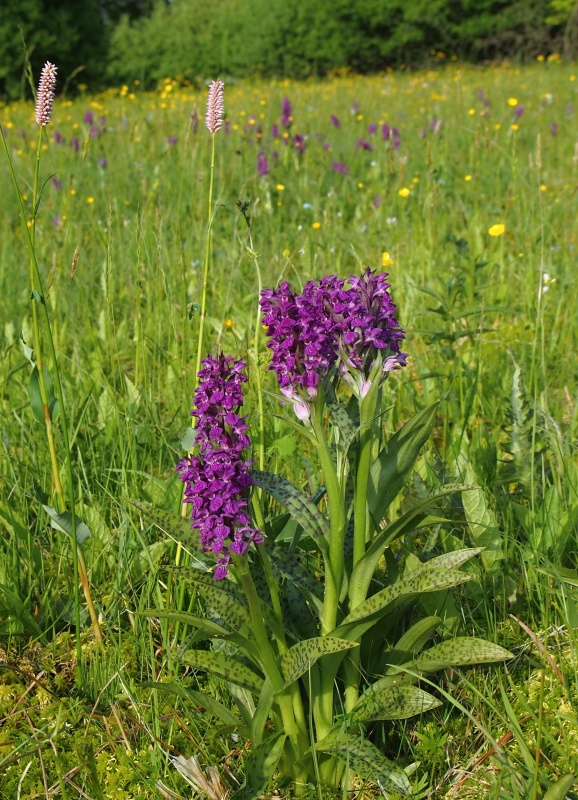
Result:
393,702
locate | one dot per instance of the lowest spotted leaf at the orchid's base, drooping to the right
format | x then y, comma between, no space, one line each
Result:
366,760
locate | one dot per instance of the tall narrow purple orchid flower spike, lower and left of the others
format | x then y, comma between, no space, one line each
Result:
217,478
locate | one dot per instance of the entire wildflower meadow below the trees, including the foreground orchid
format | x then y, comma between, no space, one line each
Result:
289,498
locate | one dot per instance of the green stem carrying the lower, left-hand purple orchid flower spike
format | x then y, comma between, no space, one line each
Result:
298,738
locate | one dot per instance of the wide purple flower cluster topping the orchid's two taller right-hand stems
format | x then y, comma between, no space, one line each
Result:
331,324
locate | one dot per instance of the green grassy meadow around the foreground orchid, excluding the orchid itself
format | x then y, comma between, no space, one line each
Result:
462,184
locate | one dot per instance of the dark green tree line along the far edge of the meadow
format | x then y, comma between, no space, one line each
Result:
103,42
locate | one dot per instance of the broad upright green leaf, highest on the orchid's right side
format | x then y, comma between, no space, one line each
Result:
391,467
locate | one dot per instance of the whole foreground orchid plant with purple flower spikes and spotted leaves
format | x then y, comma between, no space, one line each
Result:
308,592
